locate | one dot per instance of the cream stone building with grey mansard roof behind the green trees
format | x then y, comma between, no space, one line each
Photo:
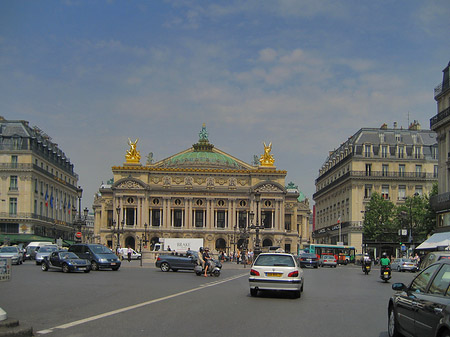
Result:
395,163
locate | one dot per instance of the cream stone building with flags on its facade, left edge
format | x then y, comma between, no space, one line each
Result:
38,186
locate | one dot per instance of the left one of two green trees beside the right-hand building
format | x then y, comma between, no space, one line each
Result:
379,224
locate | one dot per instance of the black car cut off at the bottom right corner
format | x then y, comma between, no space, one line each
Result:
422,309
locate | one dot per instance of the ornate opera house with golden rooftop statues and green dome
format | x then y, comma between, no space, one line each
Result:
201,192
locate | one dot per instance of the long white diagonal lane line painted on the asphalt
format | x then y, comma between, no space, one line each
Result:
139,305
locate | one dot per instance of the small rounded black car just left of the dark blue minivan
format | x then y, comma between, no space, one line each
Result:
65,261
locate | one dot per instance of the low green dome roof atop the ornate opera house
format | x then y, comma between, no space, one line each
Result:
203,159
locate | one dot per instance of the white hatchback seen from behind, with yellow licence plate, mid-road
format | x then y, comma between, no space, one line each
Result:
276,271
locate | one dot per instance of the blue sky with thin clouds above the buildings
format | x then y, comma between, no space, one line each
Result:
303,75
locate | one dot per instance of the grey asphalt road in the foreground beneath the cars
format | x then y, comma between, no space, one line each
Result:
143,301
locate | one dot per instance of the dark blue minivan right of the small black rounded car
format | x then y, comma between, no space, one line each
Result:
100,256
